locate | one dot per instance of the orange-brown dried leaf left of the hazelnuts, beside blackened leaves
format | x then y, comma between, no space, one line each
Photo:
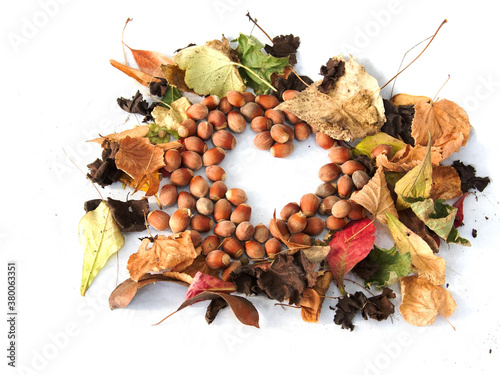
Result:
140,159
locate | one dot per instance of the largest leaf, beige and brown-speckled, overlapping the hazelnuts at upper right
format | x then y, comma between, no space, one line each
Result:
352,109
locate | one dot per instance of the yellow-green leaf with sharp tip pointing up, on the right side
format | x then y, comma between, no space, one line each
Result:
416,184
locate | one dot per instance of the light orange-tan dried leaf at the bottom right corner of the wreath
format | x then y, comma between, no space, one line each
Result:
422,301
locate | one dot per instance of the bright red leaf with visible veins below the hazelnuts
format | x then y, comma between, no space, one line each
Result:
348,247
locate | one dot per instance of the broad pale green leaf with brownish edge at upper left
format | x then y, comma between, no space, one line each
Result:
211,69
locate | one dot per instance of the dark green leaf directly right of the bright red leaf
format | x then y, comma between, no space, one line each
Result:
392,265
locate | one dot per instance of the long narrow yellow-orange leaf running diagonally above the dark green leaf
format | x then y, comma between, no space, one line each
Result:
427,264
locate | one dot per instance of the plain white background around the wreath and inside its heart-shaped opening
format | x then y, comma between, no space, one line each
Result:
58,90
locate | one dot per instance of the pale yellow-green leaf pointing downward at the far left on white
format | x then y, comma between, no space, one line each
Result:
100,237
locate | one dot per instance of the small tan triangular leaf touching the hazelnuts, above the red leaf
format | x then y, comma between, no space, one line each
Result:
376,197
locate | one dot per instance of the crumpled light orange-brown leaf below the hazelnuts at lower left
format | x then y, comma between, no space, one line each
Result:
174,253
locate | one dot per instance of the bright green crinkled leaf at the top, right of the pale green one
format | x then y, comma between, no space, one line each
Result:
258,66
